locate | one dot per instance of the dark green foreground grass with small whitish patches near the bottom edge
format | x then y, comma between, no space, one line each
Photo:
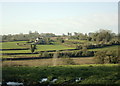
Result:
90,74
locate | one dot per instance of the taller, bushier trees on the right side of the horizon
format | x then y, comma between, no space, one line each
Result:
101,35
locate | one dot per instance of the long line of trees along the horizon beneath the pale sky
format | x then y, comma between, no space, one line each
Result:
101,35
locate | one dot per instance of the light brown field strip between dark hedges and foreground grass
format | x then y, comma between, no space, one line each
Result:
49,62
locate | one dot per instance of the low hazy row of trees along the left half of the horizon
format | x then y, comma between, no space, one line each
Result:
26,37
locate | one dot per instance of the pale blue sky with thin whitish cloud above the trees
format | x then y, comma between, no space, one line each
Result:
58,17
